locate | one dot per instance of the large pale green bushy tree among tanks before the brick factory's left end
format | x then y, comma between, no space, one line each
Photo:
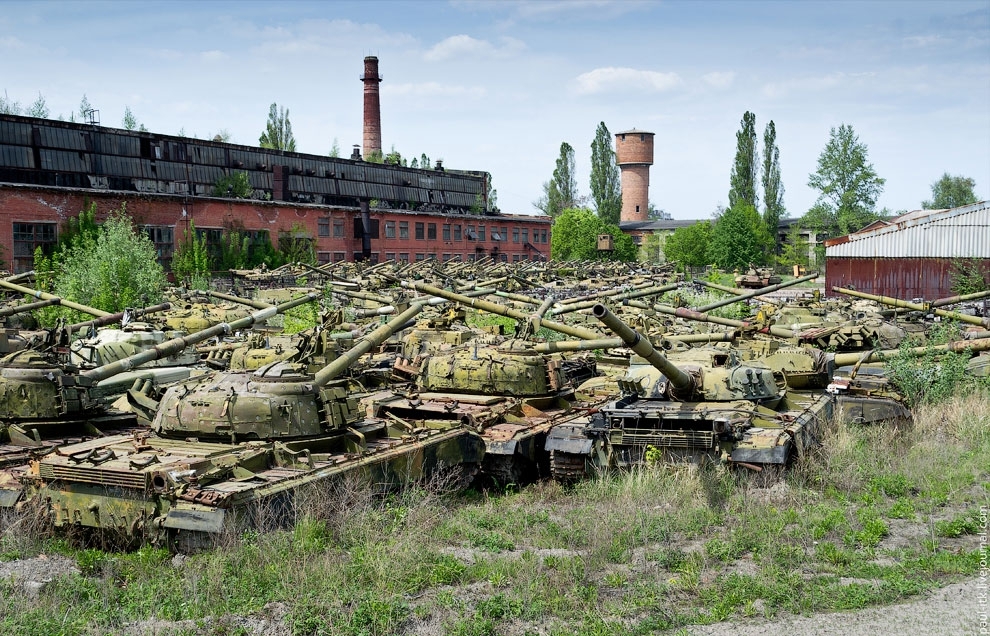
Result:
115,268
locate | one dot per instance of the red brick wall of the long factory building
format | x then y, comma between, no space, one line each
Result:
38,204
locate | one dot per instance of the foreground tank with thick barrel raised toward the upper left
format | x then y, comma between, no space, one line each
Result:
703,401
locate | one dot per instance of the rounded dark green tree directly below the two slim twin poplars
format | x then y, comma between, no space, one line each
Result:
739,238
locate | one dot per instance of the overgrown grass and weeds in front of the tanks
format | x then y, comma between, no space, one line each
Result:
876,515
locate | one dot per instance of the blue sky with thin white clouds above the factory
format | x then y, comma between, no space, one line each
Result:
498,86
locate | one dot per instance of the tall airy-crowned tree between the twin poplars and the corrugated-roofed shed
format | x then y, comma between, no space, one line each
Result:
848,185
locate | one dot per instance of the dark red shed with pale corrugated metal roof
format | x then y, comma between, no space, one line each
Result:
915,255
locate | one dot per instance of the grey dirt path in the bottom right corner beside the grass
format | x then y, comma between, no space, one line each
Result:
949,610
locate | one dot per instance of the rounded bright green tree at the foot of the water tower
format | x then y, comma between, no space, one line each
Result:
575,237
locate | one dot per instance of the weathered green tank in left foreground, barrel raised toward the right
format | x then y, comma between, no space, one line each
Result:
231,450
